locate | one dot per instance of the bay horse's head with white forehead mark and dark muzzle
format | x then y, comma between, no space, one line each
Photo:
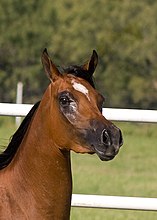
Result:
76,112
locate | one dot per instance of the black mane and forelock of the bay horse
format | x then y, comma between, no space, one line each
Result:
7,156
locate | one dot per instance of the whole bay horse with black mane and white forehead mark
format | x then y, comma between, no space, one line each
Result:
35,168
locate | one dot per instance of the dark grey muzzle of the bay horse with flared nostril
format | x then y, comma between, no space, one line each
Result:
104,140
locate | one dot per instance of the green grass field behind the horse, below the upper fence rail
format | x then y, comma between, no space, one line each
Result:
132,173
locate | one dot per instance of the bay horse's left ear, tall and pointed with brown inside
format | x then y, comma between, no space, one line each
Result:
50,68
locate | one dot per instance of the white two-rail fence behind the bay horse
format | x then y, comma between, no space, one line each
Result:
95,201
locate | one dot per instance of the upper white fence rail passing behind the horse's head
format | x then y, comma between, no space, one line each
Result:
133,115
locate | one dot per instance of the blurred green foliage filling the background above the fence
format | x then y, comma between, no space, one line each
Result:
124,33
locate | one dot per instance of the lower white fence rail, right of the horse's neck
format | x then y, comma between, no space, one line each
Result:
114,202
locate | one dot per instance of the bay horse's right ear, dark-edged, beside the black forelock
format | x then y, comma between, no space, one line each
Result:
90,66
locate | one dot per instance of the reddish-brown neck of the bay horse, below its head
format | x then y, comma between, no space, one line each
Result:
42,170
